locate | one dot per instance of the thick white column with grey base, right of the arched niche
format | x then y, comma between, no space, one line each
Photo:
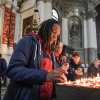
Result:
92,40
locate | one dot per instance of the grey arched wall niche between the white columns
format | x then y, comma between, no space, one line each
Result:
75,32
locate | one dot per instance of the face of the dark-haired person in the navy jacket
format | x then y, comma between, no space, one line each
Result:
55,33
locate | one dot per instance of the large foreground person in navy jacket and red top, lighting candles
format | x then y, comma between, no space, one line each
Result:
28,80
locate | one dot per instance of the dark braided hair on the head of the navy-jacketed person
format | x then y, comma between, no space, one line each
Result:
46,29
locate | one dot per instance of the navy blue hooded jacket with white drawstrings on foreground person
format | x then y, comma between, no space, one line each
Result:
23,71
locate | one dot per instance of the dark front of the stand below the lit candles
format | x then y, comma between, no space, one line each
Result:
64,92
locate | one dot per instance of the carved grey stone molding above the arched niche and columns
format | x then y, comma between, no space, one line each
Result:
86,7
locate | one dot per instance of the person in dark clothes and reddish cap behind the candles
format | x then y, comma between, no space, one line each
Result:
75,69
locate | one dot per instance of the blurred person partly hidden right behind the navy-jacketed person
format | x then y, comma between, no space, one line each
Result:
60,59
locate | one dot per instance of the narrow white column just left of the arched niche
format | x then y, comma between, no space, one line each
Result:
65,30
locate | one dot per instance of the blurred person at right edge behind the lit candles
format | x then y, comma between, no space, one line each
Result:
94,68
